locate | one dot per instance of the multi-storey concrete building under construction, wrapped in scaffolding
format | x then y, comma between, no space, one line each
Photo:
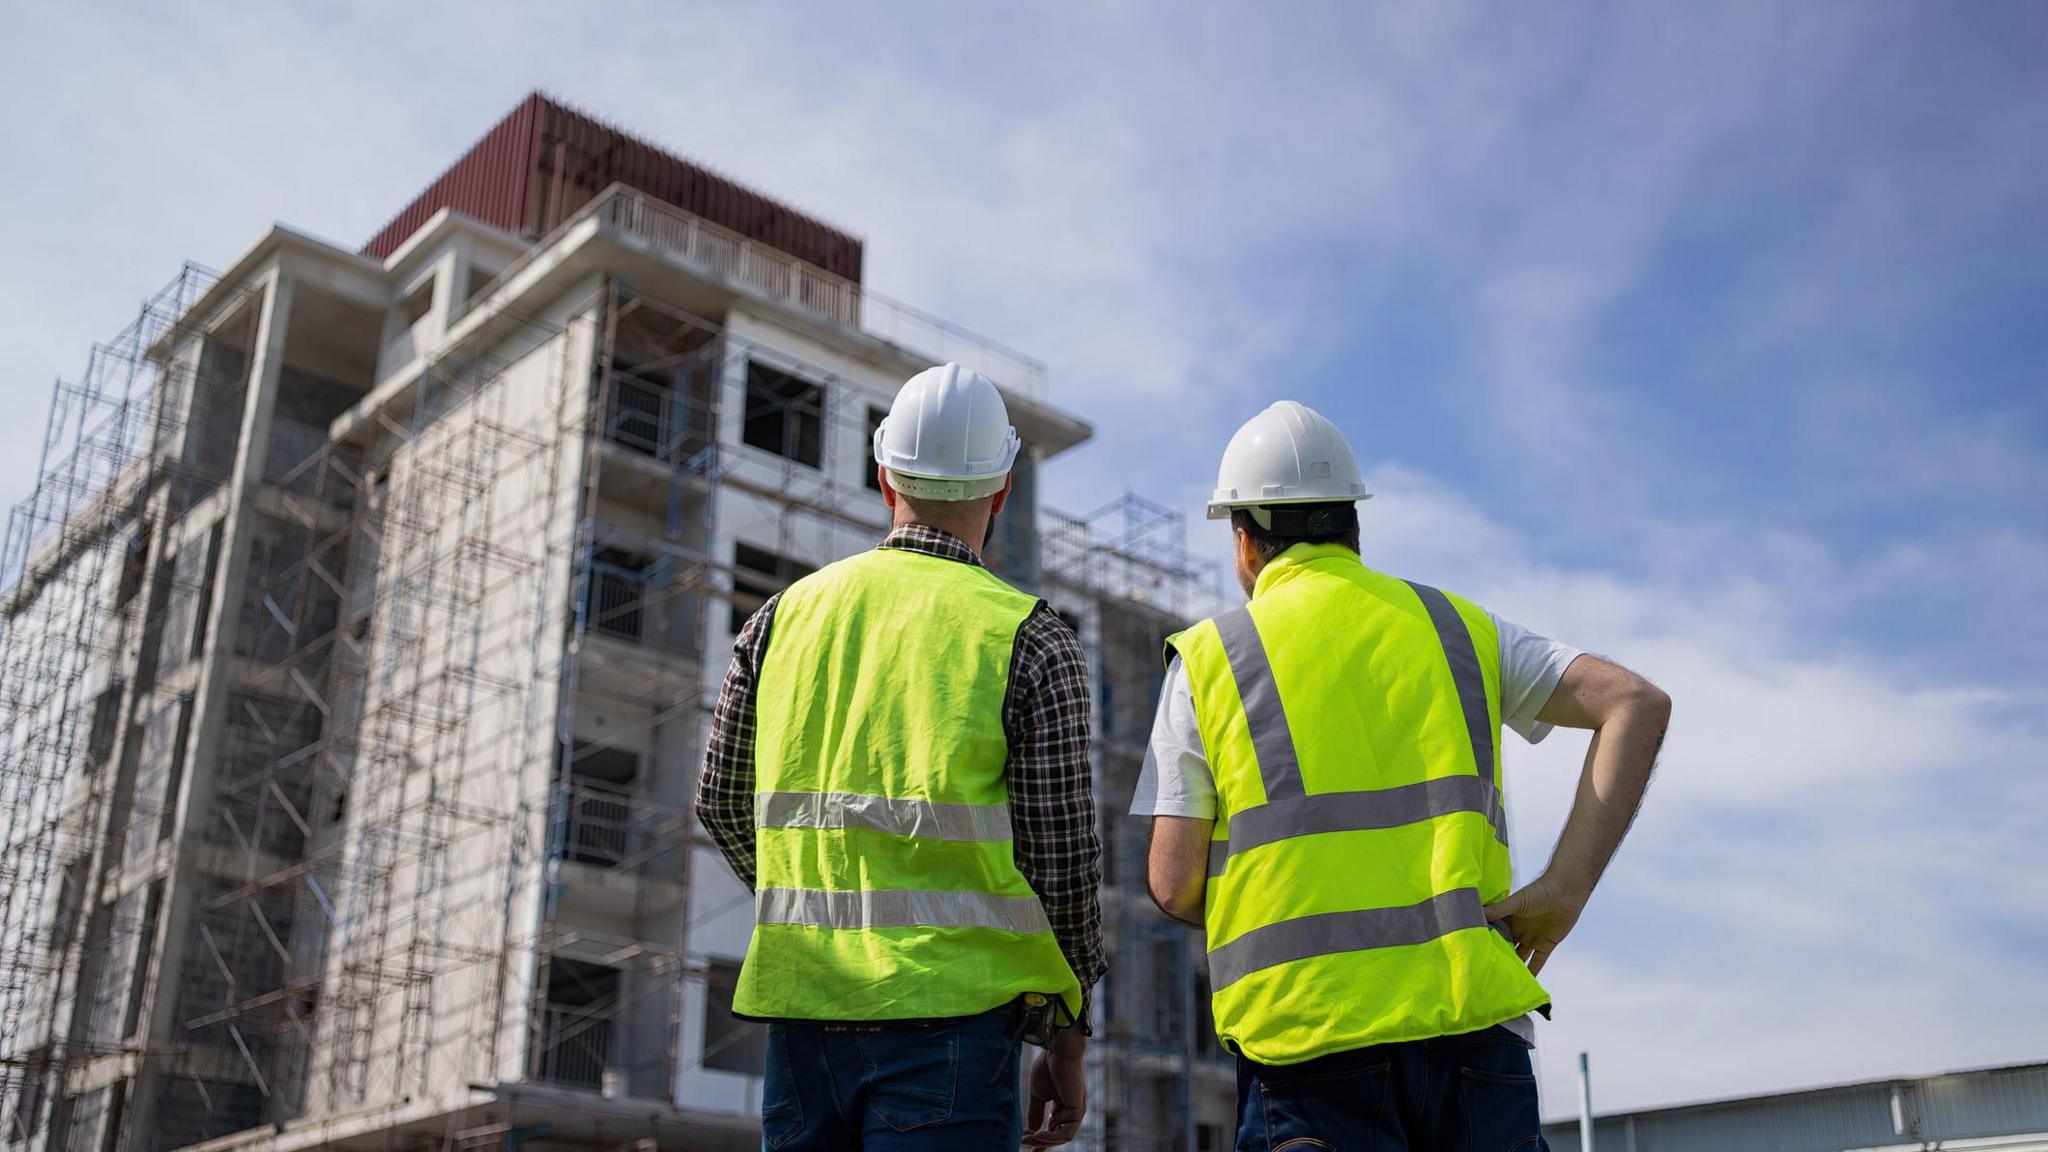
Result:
357,657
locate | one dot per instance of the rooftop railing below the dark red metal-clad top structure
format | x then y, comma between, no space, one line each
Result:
783,278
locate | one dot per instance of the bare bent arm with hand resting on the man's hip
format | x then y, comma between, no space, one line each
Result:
1629,718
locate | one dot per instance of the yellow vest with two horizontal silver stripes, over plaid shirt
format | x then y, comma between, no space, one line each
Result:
888,882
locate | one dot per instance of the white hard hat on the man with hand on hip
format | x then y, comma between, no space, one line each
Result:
1289,454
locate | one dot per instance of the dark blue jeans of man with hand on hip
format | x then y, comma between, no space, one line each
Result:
1457,1094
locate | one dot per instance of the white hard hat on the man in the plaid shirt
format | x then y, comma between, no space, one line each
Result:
947,438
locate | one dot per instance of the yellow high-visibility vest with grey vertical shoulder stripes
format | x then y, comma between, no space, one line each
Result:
1353,725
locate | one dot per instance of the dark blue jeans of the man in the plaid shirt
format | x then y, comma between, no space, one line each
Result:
894,1089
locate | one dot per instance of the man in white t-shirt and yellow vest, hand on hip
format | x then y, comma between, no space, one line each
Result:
1328,805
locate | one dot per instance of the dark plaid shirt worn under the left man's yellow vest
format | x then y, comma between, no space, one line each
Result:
1052,788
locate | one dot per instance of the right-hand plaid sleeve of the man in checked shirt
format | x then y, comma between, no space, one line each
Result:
1052,790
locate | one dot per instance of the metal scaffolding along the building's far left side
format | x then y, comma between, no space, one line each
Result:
126,442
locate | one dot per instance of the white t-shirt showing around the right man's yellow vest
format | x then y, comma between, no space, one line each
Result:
1177,780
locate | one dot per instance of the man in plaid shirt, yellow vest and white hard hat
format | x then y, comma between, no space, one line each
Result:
898,768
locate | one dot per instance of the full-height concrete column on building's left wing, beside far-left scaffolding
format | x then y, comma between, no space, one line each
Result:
210,704
